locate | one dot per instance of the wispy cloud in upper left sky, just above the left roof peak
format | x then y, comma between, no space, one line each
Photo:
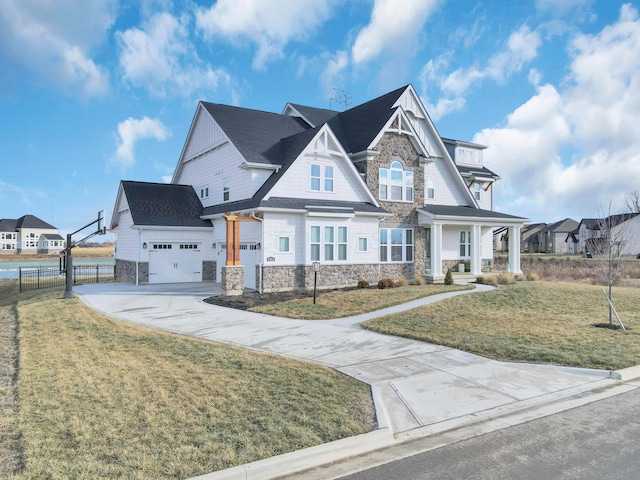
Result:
161,58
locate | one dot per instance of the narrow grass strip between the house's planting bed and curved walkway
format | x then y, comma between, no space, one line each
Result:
344,303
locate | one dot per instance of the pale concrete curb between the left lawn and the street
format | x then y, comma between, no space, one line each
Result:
312,457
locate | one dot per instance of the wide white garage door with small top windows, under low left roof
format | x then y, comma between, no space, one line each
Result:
175,263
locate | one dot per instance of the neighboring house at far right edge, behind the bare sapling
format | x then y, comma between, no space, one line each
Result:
624,229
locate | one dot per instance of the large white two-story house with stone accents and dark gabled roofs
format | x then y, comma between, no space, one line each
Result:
258,198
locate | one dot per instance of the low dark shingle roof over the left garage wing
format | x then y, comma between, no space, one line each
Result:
164,204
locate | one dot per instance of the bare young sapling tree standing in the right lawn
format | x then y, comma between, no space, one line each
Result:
608,248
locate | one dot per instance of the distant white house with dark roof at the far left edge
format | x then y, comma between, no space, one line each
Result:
29,234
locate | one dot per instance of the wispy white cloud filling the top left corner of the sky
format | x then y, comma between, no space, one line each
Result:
53,41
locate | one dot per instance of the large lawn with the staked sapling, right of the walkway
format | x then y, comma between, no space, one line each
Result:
535,322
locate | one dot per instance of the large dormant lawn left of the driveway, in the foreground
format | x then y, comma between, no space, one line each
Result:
101,398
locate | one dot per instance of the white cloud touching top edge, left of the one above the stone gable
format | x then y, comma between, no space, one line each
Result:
268,25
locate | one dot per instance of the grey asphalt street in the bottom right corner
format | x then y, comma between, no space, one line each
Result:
600,440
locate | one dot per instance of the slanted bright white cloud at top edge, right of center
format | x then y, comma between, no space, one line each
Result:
391,28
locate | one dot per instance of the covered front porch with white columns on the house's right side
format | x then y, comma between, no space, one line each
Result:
455,233
